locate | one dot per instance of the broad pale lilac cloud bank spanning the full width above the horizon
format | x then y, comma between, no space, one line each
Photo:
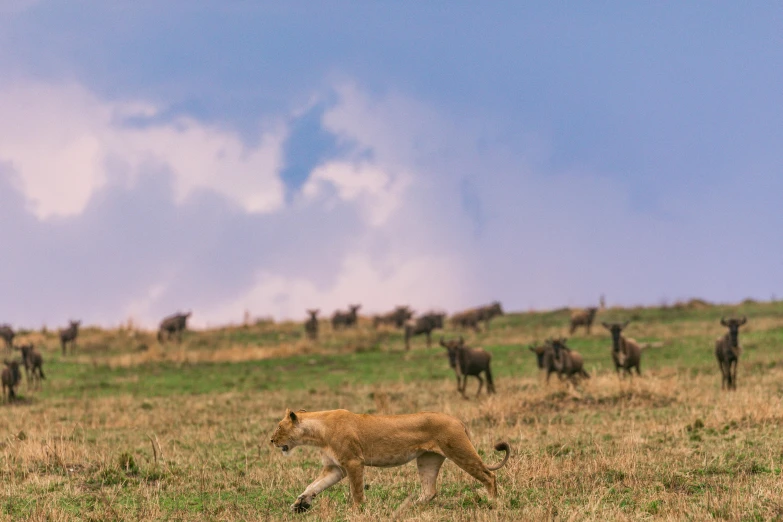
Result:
131,213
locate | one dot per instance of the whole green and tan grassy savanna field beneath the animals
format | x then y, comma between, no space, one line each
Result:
125,429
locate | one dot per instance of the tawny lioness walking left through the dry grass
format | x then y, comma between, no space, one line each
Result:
349,442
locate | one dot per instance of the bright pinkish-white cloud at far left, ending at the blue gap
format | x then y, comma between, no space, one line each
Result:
59,140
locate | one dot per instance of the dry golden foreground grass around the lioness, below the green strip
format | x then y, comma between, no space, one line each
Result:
667,446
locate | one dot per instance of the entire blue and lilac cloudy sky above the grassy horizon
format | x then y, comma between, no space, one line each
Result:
271,157
